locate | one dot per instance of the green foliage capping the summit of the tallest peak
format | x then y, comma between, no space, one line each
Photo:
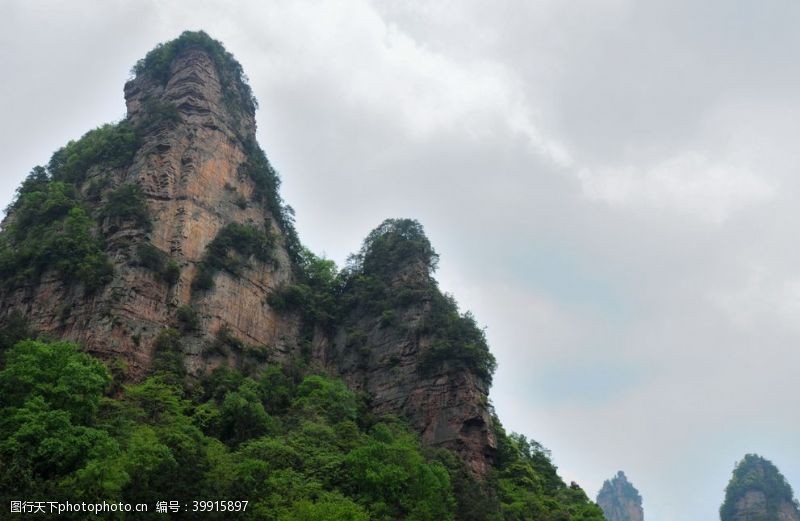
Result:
235,90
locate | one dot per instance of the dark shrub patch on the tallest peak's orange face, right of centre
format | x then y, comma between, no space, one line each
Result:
231,250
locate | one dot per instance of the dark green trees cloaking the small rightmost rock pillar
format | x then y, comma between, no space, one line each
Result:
755,473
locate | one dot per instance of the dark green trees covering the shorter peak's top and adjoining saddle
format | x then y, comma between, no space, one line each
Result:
391,273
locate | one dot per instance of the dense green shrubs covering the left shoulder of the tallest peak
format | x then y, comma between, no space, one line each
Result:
50,225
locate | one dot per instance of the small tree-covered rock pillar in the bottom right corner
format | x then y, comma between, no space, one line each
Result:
758,492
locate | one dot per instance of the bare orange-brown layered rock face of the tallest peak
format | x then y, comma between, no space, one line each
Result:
190,175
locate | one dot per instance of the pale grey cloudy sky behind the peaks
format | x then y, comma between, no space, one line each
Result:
612,186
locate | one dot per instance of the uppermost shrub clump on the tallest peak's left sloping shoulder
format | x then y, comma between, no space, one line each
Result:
112,145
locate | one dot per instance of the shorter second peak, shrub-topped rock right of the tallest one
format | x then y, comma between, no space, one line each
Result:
390,354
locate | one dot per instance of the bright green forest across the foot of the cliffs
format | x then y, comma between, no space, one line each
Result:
297,445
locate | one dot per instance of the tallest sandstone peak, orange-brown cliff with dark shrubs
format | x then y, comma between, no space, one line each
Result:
189,152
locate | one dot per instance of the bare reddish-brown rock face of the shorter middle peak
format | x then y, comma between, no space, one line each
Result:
384,355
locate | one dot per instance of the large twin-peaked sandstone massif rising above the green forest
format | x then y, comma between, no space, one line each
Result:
209,248
